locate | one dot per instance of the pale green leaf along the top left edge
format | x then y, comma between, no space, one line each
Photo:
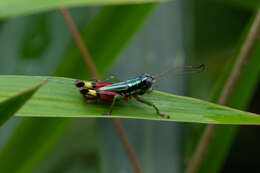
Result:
11,8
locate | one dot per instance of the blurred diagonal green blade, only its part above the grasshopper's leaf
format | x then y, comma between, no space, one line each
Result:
105,47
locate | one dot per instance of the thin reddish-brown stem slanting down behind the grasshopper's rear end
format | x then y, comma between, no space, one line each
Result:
94,73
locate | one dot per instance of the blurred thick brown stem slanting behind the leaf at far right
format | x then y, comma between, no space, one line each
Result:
242,60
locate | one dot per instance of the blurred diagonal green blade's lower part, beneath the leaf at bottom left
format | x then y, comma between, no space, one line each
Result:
18,155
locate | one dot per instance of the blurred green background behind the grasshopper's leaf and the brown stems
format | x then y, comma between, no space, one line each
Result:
126,41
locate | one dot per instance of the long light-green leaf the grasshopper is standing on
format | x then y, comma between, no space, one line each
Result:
60,98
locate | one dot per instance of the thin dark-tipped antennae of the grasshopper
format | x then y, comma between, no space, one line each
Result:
192,70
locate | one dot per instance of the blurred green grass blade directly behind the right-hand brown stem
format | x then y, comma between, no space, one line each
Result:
224,136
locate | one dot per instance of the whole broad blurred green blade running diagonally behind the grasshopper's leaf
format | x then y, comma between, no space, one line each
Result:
47,131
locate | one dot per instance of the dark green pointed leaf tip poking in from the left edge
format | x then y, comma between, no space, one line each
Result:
12,104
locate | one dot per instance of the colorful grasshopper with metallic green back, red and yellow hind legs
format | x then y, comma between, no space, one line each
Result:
112,92
